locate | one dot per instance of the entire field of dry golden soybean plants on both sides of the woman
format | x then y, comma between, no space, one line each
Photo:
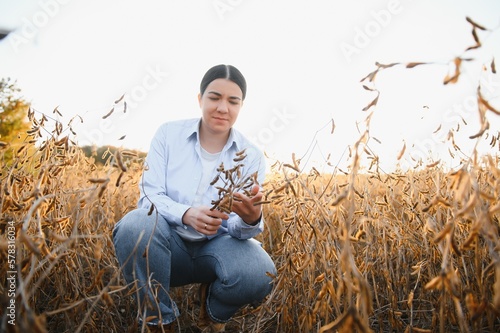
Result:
411,251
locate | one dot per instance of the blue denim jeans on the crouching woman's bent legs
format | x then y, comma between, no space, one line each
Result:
146,246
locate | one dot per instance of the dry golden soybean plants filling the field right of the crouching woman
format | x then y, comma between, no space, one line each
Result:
400,252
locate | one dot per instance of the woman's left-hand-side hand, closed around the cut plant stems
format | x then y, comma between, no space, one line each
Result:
204,220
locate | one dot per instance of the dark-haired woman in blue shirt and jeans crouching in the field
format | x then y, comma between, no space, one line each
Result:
175,237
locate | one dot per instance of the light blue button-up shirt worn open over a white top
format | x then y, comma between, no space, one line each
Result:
173,172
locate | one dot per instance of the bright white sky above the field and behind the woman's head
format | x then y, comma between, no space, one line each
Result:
303,62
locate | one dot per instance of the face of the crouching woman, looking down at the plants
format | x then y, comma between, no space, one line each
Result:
220,105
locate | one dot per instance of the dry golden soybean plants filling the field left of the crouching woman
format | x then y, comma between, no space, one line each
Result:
63,209
